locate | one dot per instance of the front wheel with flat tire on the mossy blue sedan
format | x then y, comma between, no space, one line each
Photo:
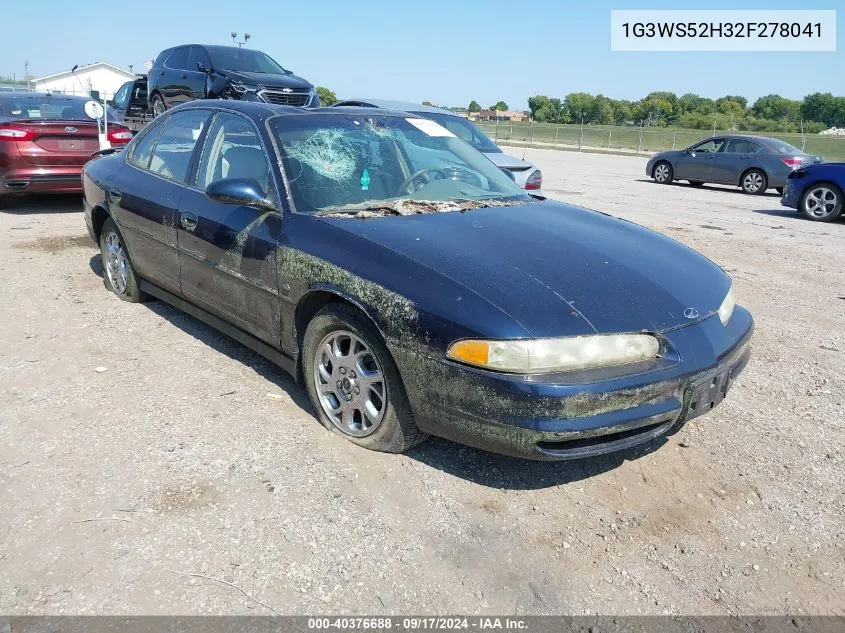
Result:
353,382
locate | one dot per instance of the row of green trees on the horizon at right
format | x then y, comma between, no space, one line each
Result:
771,113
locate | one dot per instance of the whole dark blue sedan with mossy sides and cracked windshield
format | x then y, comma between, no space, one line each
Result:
411,285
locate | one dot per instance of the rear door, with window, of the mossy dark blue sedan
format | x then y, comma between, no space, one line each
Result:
144,195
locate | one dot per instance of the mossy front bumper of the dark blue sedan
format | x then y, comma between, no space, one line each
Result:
568,417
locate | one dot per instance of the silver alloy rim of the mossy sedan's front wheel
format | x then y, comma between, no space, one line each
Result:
350,383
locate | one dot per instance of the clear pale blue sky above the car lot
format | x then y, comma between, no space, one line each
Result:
448,52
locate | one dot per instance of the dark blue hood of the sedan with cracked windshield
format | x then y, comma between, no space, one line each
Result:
555,269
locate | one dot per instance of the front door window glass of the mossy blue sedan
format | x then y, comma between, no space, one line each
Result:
233,150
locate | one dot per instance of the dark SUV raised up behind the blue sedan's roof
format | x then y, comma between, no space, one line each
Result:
189,72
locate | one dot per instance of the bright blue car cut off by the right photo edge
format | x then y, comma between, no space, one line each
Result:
816,191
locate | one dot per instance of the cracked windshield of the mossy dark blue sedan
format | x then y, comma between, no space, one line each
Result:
359,166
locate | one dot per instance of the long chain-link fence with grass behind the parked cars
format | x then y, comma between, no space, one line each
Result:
638,140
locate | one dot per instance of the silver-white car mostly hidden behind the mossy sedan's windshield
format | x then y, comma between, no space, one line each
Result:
526,174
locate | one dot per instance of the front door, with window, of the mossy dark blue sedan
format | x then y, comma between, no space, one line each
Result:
228,251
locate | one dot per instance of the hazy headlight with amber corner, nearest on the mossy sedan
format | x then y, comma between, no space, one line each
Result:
542,356
